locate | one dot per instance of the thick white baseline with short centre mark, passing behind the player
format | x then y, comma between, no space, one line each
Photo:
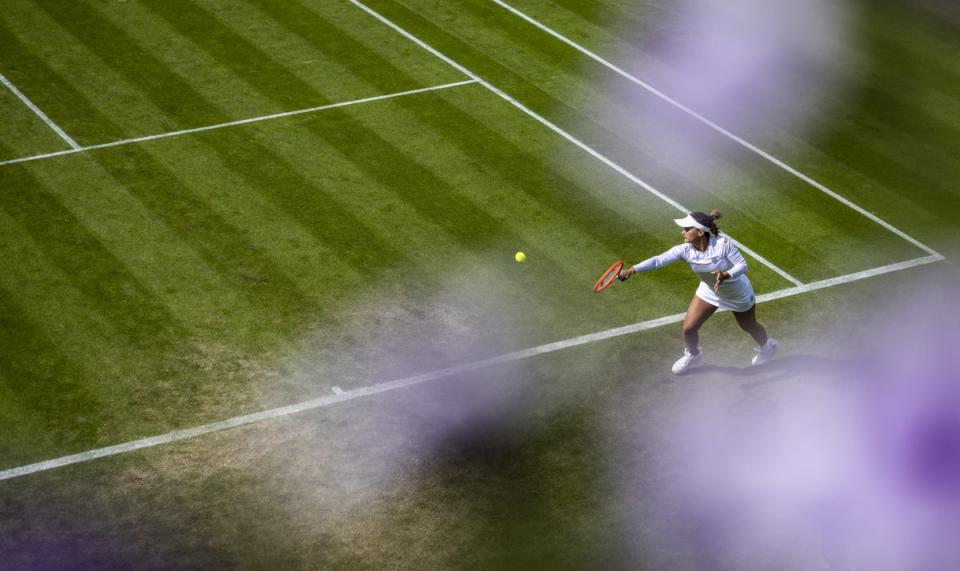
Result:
342,396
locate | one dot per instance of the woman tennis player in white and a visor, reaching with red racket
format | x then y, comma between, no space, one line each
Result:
723,285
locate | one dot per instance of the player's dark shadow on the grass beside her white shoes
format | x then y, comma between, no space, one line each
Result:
783,369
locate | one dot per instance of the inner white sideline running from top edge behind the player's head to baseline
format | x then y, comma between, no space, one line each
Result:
596,154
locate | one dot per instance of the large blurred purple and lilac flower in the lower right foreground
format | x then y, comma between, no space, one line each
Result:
851,464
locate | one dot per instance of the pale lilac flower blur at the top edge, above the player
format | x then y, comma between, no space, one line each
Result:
745,65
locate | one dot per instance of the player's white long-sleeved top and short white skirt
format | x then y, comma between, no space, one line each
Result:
735,294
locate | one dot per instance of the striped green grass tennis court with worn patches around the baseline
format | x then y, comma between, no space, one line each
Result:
254,205
